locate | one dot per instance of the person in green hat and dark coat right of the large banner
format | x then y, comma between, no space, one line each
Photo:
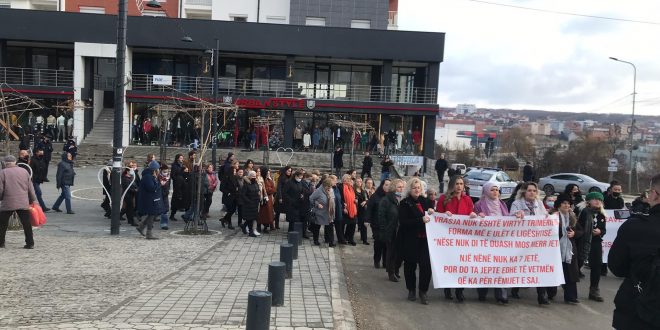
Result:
593,219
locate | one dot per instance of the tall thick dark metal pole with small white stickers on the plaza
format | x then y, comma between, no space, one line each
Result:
120,98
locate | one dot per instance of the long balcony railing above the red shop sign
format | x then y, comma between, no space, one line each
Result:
282,88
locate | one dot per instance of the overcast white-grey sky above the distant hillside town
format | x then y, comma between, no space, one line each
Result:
502,57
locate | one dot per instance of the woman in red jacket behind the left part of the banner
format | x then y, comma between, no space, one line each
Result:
456,201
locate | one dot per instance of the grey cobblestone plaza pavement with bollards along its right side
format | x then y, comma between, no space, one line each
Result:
80,277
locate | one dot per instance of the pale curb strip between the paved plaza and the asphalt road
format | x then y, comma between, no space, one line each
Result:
342,312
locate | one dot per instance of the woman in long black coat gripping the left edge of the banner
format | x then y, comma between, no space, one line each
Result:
413,218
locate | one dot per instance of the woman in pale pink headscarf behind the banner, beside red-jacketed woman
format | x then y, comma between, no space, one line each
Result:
490,204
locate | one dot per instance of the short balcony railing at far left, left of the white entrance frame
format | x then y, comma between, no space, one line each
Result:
36,77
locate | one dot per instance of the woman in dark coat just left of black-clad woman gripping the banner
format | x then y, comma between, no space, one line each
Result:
388,221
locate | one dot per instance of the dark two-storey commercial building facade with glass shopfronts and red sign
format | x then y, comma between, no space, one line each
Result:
337,74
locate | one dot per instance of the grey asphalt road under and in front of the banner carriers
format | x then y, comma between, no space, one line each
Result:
380,304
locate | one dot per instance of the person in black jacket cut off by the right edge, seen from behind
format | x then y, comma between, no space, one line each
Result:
637,241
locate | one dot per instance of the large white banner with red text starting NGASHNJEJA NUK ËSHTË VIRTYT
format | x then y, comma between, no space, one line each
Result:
494,251
